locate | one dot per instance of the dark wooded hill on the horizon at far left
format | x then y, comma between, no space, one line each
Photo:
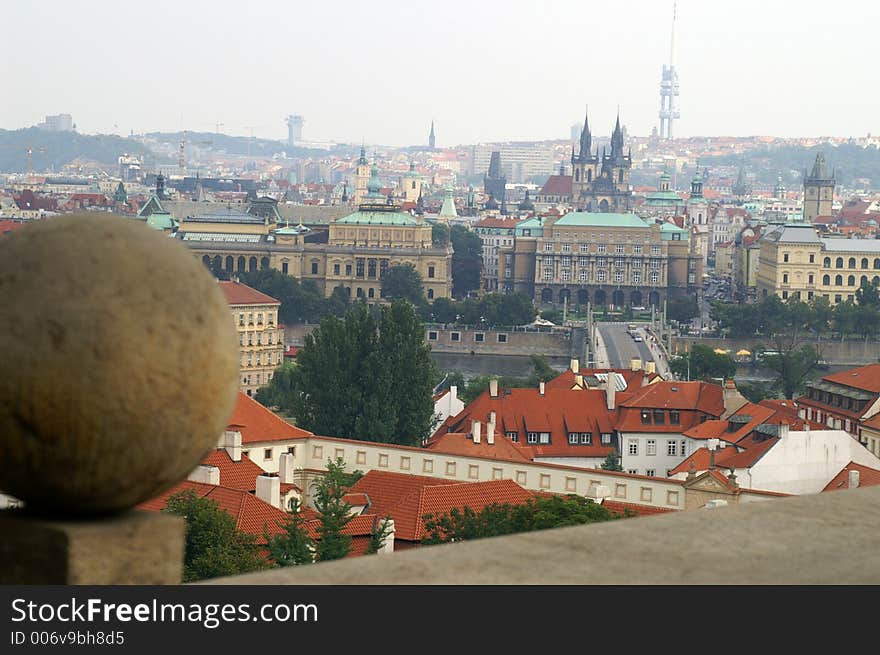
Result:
53,150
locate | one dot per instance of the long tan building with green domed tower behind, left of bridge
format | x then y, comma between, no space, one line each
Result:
352,253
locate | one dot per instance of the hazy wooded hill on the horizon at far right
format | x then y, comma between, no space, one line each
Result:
851,162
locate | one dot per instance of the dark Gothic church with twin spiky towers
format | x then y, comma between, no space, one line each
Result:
601,183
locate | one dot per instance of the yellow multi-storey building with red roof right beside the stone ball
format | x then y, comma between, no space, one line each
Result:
260,337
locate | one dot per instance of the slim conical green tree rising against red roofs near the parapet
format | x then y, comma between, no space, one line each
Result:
334,513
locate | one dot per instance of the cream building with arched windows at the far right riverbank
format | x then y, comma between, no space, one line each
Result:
795,262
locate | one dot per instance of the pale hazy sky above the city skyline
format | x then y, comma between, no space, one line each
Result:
381,70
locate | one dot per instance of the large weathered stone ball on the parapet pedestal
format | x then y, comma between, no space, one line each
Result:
119,366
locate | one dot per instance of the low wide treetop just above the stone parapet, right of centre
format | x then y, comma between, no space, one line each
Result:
499,519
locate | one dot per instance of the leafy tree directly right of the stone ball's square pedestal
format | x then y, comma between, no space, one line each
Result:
214,547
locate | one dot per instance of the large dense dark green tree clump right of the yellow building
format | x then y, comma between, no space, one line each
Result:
367,378
